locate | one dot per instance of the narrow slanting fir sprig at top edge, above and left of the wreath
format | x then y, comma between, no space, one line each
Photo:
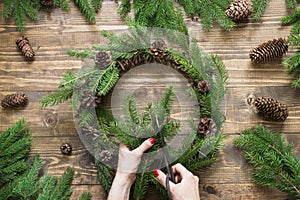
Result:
87,9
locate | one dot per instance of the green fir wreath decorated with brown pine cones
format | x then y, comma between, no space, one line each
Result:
101,132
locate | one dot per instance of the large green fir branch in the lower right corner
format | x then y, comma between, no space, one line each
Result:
272,158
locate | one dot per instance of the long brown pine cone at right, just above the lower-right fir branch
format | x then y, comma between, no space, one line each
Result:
269,107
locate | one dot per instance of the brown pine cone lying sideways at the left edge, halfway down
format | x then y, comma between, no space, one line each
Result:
14,100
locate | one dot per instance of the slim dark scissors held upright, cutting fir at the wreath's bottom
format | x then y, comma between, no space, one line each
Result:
170,174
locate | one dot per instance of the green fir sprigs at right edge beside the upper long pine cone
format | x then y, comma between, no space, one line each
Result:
292,64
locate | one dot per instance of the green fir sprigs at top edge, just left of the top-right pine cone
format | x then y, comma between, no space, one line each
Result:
209,11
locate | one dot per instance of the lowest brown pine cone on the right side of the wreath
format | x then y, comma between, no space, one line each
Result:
207,127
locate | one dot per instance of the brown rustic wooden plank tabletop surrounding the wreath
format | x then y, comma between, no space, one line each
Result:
58,31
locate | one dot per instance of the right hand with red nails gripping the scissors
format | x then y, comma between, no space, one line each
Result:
186,186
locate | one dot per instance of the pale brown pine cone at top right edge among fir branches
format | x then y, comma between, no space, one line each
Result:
239,9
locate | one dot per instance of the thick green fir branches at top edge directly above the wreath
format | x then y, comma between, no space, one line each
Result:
155,13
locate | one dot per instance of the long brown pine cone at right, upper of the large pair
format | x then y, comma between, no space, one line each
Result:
269,50
